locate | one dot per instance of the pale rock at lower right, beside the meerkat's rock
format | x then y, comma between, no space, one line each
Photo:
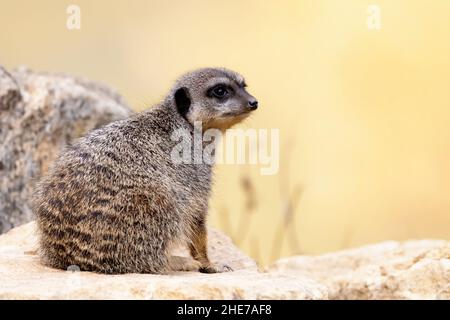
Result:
389,270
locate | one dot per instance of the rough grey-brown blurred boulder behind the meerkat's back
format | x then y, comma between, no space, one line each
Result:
39,114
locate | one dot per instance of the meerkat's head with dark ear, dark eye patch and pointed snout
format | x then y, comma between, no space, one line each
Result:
214,96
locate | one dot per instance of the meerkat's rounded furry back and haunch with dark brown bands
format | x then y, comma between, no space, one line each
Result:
107,199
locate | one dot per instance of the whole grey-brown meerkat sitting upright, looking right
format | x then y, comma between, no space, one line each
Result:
115,202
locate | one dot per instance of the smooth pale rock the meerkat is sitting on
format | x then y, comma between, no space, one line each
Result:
23,277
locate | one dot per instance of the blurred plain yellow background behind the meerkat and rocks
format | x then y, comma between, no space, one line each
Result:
364,115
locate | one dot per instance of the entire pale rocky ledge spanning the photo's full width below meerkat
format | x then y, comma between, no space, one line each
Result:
389,270
